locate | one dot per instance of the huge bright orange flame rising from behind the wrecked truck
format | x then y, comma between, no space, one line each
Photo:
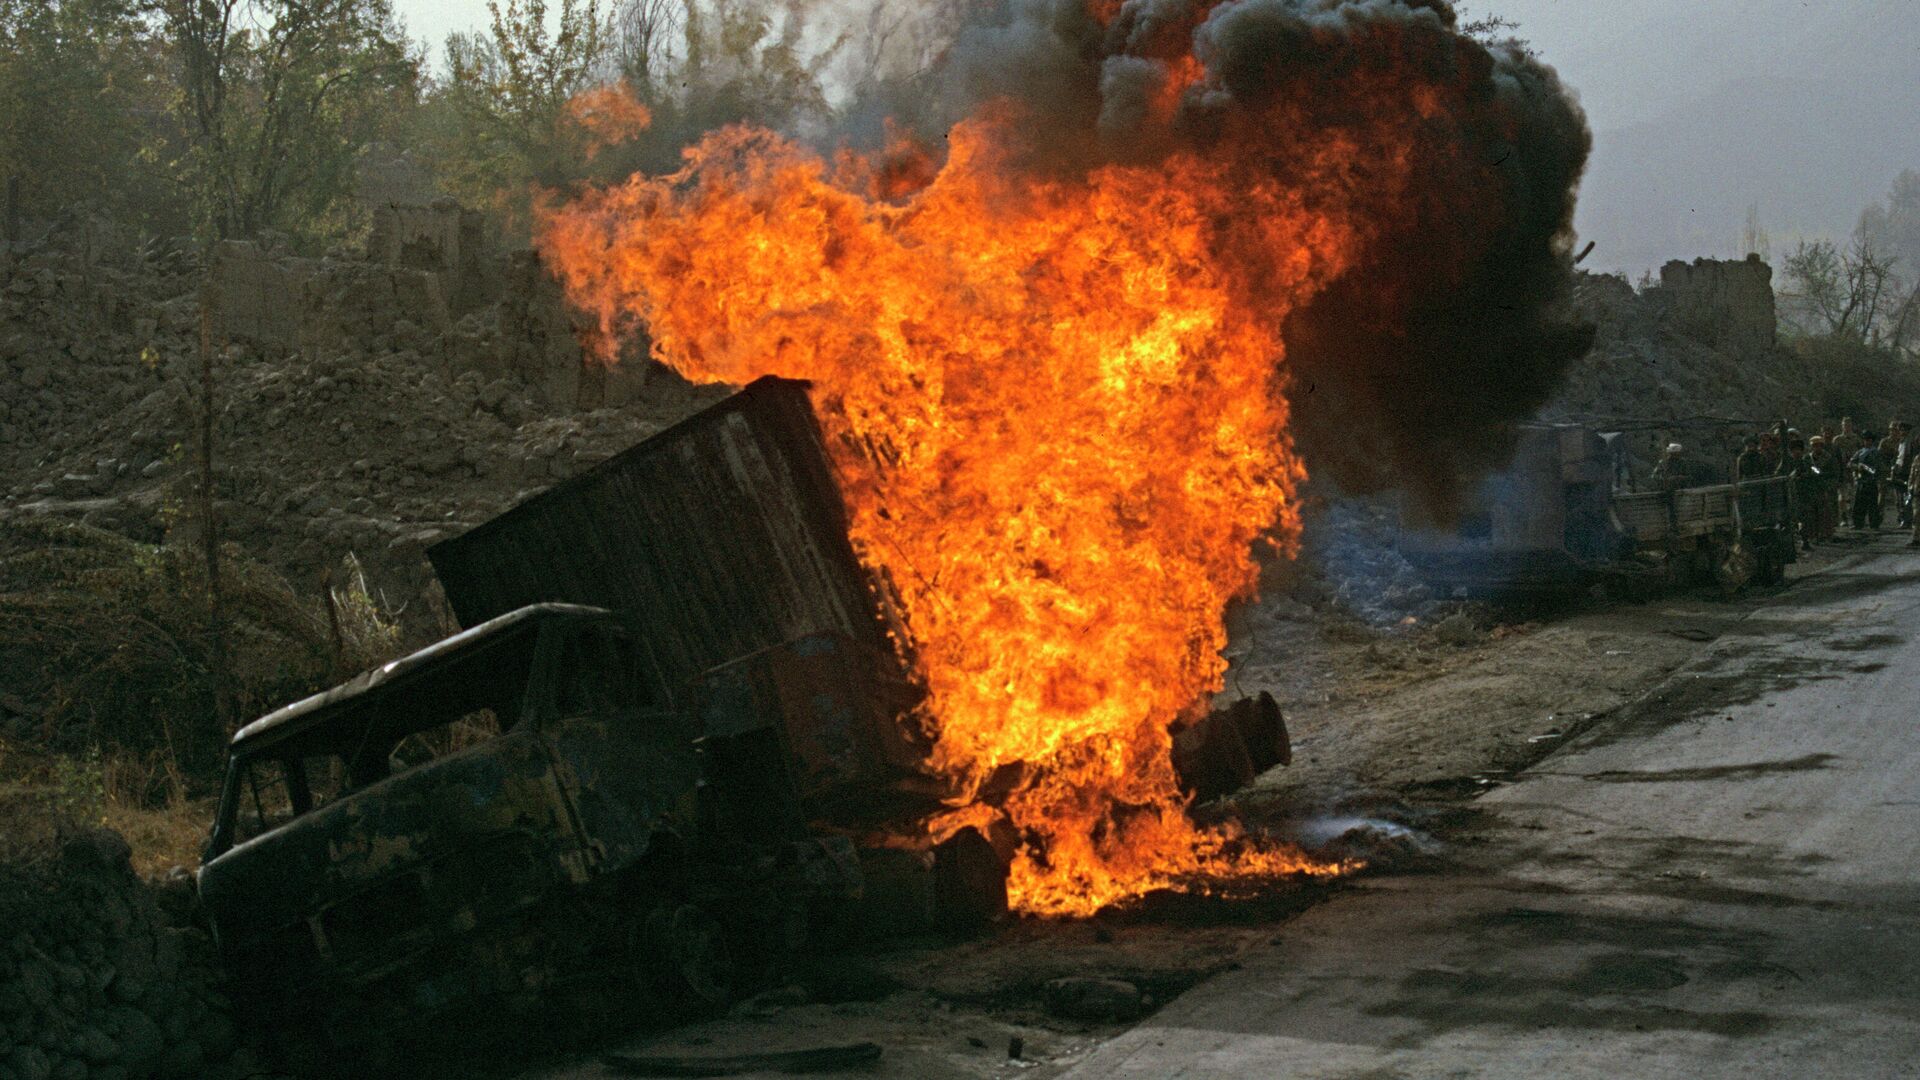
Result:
1055,406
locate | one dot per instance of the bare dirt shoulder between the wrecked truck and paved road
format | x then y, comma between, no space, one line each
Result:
1395,731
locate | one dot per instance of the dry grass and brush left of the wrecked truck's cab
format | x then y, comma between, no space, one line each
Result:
107,643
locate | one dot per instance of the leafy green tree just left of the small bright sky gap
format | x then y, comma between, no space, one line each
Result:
279,101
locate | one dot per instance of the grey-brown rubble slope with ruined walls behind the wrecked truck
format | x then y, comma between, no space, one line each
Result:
356,416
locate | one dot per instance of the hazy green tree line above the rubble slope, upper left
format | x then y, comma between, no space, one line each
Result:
239,118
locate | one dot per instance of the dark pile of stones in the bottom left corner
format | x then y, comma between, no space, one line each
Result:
97,983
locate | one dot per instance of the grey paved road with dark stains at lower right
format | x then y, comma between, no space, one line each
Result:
1723,881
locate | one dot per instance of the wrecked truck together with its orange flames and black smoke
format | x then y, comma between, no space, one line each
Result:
1068,349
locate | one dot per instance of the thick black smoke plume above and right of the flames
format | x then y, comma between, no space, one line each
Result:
1414,368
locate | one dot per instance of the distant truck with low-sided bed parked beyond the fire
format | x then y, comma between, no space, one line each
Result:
1566,516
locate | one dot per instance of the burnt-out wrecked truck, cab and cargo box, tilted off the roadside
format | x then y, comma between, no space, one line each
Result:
679,700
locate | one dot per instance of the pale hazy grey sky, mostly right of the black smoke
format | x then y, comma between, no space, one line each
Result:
1702,109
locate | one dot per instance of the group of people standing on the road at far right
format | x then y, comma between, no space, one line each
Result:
1860,478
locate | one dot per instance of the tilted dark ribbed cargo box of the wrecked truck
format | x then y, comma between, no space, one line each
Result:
723,535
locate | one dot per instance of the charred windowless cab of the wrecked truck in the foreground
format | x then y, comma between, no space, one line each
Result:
404,841
